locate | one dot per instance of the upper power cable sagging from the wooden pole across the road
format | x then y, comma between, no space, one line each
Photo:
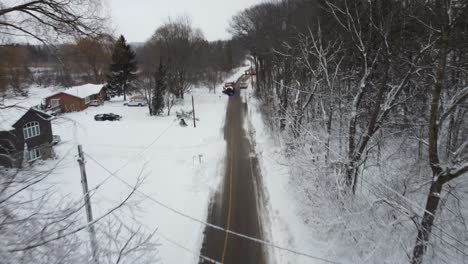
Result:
266,243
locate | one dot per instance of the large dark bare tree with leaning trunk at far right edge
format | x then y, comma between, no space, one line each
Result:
448,17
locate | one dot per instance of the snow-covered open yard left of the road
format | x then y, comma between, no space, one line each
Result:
181,166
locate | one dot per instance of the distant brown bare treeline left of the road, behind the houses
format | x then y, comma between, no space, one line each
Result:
190,60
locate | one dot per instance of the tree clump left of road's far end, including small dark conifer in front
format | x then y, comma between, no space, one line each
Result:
177,58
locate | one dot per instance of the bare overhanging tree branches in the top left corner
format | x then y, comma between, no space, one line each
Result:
45,20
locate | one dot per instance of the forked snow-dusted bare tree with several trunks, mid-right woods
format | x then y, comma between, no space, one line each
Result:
387,88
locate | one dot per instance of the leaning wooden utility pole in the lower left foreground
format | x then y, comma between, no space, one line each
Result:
89,212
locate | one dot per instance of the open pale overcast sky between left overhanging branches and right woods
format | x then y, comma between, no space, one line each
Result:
138,19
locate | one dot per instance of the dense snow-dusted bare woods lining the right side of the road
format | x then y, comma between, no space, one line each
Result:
358,85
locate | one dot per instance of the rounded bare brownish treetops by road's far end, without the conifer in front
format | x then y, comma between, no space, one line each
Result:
189,58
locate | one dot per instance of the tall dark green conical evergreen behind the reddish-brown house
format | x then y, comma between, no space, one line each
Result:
123,69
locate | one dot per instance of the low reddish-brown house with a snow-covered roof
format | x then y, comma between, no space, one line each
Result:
76,98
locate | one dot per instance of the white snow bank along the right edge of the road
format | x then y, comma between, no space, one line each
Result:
281,213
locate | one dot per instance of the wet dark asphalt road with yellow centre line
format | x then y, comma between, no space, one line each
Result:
235,206
